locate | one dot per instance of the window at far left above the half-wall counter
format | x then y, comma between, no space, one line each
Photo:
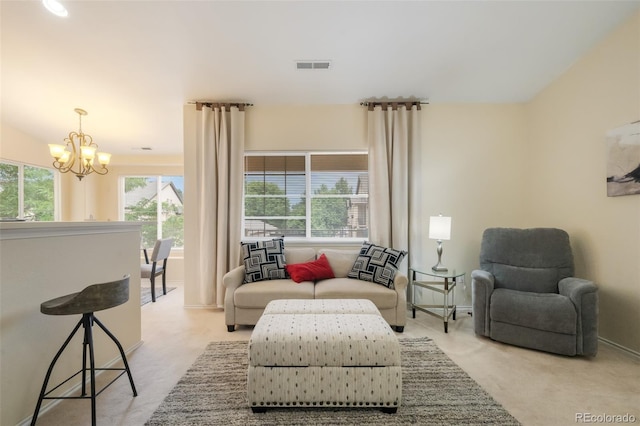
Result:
27,192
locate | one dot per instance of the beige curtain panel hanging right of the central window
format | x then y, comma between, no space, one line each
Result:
393,137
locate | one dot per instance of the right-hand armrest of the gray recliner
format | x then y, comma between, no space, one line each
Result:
584,296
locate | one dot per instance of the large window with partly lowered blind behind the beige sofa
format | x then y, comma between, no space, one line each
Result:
276,201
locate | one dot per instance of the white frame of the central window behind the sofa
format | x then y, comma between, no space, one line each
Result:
307,239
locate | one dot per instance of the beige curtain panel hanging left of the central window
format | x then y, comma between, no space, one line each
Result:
219,181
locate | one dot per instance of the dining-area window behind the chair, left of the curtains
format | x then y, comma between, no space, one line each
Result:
164,219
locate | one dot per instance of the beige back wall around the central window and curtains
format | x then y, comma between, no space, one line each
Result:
471,166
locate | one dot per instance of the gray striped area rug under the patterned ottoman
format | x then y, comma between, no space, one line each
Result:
435,391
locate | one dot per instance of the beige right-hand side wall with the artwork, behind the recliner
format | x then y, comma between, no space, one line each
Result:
567,123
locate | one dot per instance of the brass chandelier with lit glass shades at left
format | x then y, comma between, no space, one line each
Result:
79,151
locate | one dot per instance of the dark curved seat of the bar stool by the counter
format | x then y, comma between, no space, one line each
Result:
96,297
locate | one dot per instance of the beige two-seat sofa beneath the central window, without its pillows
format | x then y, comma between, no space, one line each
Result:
244,302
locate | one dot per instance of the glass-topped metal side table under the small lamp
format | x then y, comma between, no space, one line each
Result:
422,278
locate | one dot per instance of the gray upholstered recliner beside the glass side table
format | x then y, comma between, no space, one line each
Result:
525,293
